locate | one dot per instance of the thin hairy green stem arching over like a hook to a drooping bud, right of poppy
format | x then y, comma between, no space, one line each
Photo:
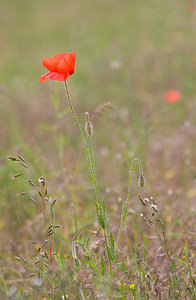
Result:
125,206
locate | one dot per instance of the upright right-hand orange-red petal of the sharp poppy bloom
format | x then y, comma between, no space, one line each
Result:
67,64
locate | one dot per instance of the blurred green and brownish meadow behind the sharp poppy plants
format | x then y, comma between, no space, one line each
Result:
129,54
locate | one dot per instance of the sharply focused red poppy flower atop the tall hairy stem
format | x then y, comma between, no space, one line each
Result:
61,66
